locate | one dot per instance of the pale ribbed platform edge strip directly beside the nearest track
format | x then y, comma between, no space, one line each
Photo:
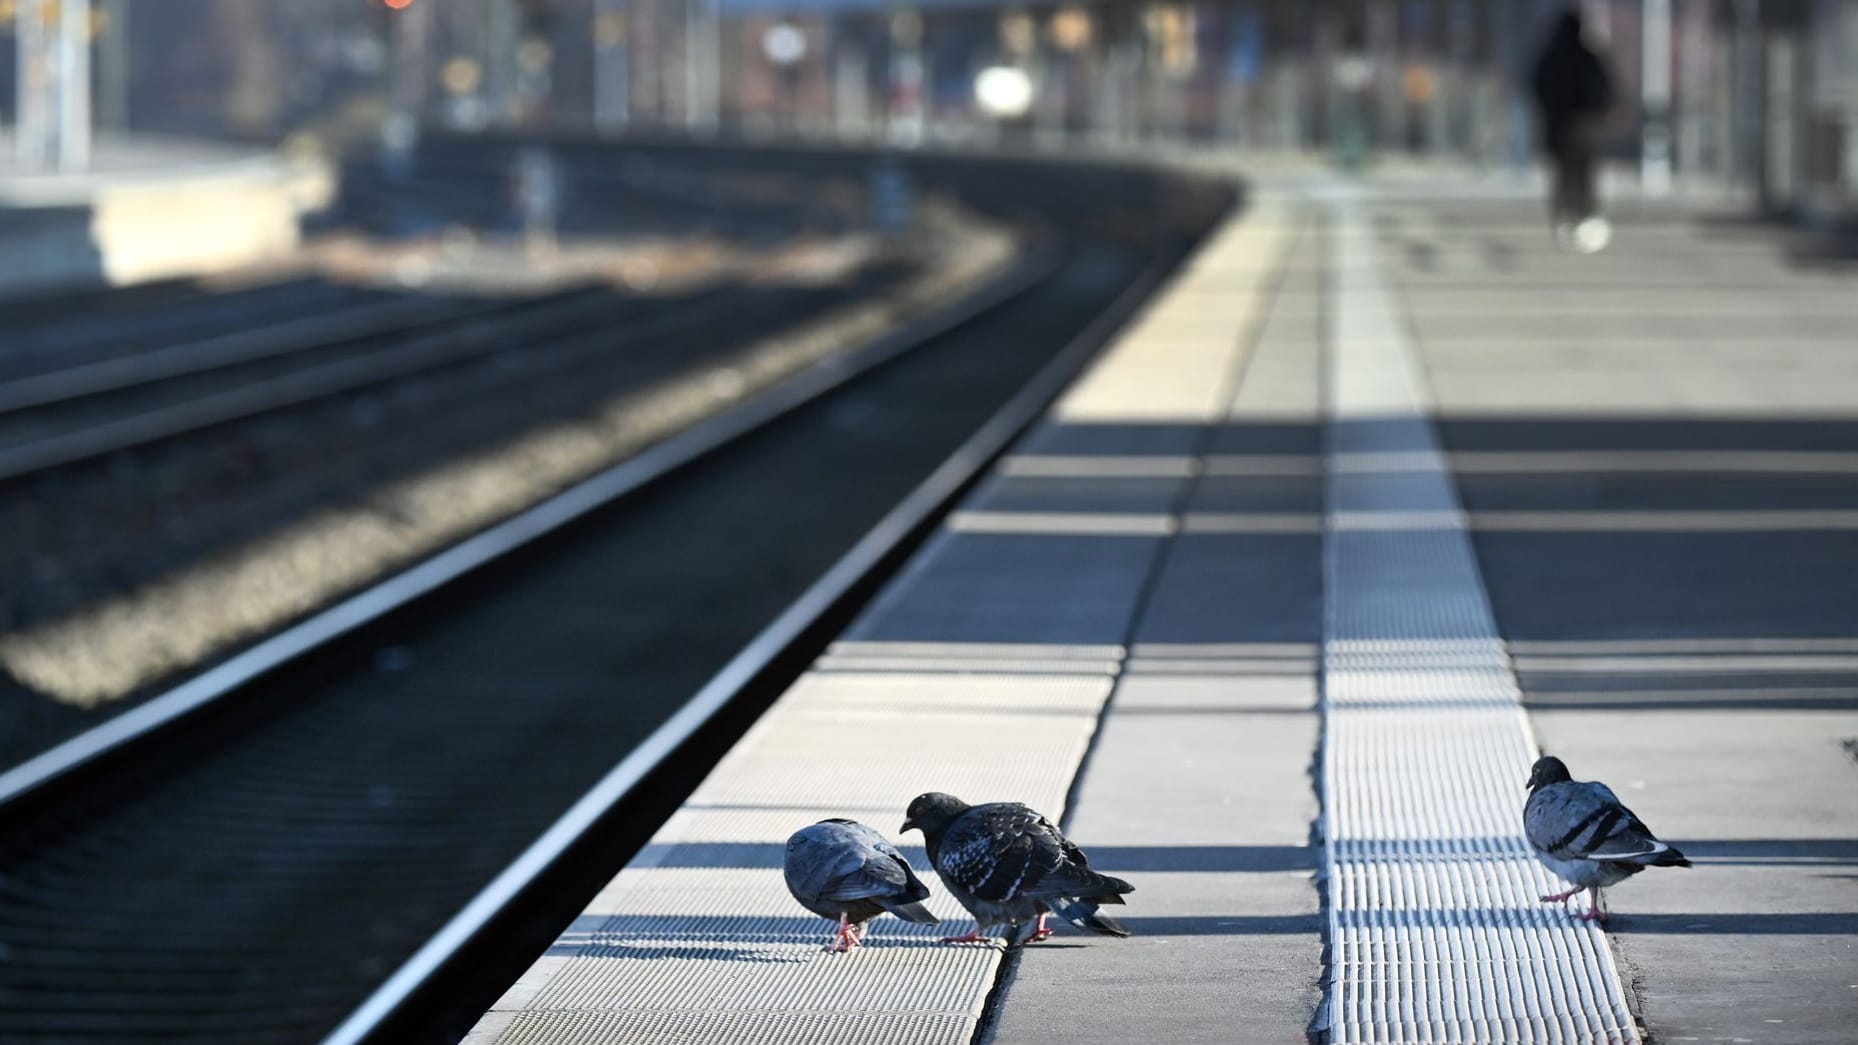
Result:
982,670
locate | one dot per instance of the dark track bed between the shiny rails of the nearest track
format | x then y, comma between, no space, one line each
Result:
263,864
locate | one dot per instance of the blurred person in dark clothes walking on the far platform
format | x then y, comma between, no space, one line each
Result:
1573,94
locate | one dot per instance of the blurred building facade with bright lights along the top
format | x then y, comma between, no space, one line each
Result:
1760,92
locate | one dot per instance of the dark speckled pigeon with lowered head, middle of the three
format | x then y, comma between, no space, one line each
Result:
1012,867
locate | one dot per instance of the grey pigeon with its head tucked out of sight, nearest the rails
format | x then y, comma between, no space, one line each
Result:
841,869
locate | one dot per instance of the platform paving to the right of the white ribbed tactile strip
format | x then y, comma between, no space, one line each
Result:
1658,449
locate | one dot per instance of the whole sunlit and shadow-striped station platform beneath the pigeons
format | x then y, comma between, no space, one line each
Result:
1374,501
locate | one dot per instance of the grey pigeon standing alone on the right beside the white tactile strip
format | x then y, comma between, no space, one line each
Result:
1584,834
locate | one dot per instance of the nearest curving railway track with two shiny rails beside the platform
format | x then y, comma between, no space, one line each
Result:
358,802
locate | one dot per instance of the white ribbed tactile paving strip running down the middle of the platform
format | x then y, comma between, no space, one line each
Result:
1437,933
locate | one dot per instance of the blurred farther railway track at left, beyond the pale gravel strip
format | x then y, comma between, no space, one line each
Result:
161,364
